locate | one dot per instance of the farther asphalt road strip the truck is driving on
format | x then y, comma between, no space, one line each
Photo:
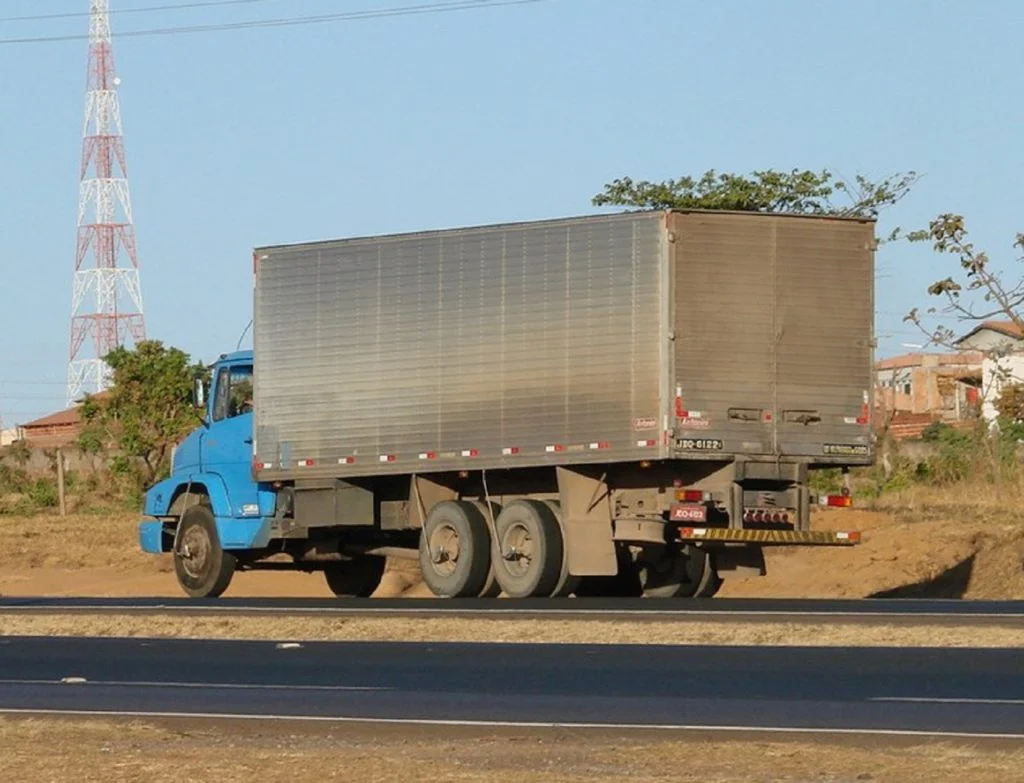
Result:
718,611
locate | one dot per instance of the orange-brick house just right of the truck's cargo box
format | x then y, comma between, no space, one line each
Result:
916,390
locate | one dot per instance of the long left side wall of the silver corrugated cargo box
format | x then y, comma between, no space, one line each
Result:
511,345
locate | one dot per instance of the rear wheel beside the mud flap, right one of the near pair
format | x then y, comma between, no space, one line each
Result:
530,545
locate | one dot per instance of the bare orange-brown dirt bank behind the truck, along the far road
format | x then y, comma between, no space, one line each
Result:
921,547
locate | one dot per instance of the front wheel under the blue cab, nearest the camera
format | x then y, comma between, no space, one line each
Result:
202,568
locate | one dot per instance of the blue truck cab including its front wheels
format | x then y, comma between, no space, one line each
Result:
216,518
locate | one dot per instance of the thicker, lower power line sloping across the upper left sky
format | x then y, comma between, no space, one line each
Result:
406,11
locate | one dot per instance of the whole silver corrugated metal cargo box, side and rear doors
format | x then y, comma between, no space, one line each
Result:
596,339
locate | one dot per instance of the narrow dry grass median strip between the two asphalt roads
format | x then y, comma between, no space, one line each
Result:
508,631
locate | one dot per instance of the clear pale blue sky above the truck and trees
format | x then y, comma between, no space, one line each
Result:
246,138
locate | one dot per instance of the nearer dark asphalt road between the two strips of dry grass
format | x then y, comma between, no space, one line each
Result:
887,691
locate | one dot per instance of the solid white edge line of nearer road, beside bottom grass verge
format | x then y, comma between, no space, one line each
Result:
510,724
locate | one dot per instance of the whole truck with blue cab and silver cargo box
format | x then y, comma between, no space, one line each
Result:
630,404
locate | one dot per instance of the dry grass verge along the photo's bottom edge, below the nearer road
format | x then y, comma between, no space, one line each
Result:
37,751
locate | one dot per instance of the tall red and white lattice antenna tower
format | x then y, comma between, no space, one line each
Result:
107,299
